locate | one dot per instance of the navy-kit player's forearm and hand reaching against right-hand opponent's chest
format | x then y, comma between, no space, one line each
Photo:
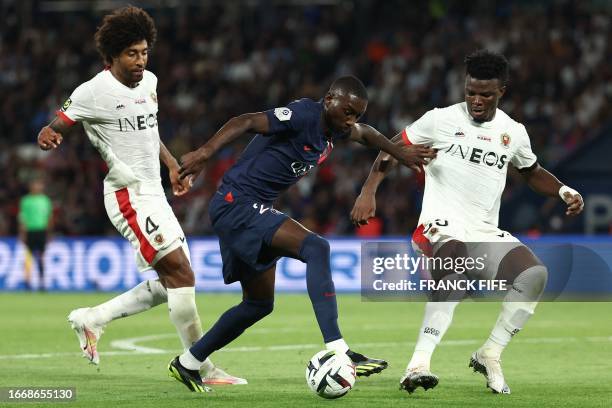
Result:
412,156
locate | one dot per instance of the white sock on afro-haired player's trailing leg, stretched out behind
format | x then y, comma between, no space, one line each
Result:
140,298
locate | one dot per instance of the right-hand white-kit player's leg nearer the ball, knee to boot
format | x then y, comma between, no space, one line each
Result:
438,315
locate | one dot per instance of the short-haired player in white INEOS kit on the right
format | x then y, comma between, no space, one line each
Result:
475,142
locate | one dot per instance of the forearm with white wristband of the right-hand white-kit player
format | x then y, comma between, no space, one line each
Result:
543,182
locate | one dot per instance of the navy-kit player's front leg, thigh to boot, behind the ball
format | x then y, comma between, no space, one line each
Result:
295,241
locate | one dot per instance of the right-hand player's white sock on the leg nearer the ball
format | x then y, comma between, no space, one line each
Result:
438,317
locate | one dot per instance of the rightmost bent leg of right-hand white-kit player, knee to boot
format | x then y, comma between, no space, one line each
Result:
525,272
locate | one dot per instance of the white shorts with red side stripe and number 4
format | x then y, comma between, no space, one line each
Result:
144,217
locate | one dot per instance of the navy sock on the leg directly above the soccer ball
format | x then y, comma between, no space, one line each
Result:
315,252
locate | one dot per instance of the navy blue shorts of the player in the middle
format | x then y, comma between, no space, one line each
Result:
245,228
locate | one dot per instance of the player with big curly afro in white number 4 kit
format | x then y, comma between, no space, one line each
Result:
118,109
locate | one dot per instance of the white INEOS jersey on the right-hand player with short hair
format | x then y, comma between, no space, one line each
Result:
466,179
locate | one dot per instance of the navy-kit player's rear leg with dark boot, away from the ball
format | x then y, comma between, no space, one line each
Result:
257,303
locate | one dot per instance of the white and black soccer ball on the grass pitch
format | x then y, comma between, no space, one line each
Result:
330,374
